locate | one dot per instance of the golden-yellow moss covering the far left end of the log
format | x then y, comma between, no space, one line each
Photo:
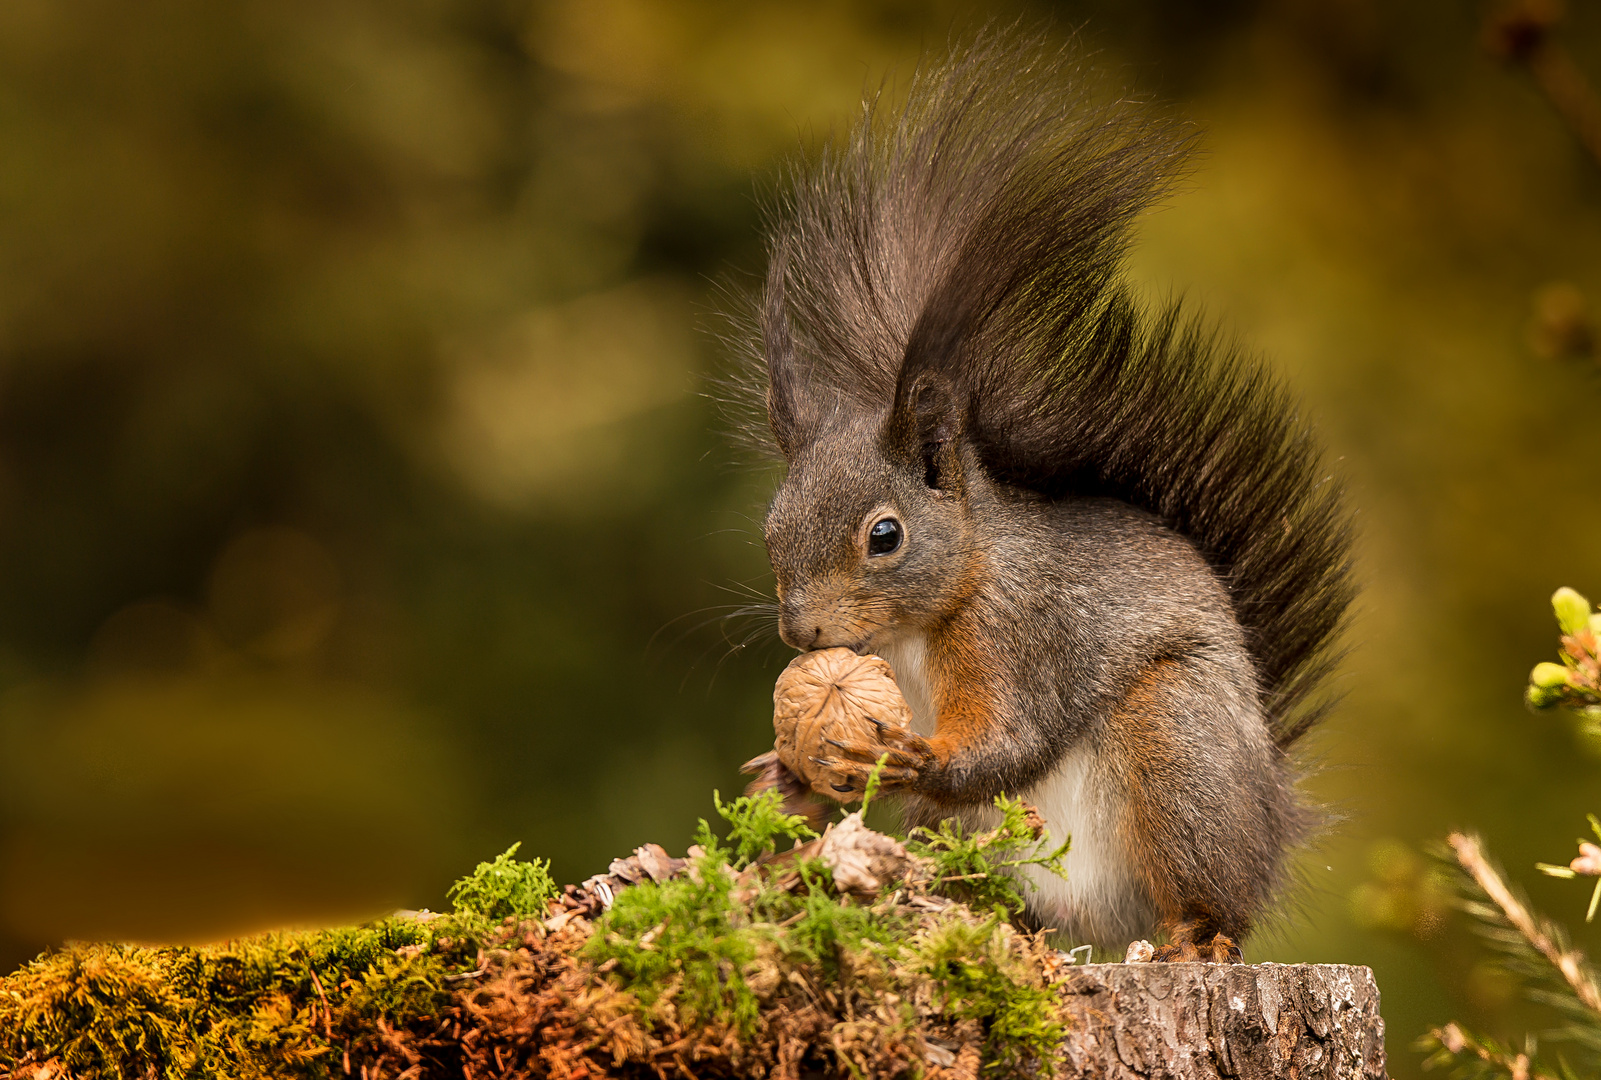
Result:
275,1006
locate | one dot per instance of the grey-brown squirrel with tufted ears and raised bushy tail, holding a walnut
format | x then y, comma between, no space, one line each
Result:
1093,538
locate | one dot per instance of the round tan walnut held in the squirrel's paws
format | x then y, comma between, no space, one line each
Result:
833,695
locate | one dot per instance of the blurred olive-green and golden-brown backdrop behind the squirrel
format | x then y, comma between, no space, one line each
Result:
361,510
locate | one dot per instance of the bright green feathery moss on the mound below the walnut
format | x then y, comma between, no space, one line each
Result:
694,942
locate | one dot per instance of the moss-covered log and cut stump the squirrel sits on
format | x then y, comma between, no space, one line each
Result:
849,954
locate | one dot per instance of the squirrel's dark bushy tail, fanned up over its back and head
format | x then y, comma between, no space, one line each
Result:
979,236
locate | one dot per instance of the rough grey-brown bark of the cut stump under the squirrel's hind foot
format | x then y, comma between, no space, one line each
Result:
1200,1022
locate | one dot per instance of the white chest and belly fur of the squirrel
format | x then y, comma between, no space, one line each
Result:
1101,902
